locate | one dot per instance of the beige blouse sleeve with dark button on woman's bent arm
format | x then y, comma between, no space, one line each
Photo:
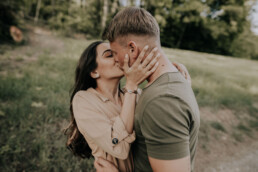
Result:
112,137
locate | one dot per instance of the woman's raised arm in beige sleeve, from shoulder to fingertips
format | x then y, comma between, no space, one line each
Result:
113,137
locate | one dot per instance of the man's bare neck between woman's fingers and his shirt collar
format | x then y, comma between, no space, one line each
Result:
165,66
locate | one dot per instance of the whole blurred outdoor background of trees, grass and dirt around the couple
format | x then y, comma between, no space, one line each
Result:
41,41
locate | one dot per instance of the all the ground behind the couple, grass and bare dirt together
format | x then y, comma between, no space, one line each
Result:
225,87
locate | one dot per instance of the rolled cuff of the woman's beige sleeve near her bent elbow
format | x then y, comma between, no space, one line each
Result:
119,132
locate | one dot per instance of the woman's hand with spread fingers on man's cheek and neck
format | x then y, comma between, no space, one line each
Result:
142,68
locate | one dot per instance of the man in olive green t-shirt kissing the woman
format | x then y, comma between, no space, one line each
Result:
167,116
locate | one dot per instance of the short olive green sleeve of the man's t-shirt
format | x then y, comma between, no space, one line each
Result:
165,127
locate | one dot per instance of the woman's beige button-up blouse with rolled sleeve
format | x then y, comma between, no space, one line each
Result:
98,119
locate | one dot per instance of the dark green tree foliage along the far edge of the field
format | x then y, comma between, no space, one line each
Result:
212,26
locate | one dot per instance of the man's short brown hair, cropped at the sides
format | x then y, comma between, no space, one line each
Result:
131,20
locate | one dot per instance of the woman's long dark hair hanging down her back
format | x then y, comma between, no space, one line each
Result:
83,80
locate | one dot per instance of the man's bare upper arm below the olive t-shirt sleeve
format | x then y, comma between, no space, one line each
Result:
177,165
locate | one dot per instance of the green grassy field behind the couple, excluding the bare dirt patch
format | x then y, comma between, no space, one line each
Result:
35,80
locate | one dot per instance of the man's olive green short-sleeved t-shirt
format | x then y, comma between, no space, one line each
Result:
167,122
